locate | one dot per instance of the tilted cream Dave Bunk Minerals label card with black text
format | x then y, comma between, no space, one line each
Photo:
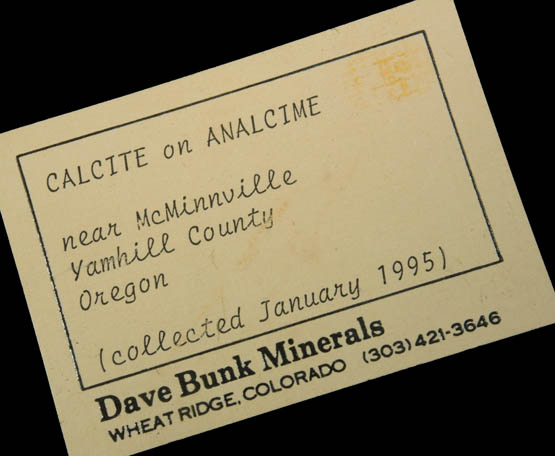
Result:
280,227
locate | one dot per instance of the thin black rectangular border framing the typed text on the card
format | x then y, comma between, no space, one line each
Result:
423,32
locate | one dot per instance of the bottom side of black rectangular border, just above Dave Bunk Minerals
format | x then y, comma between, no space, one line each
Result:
291,325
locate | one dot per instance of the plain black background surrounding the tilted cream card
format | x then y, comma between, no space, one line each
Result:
56,66
